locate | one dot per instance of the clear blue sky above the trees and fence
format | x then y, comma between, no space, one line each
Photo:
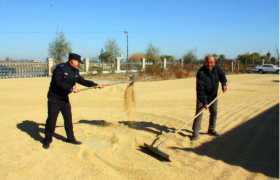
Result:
228,27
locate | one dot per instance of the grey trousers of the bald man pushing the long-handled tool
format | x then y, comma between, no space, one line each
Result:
213,109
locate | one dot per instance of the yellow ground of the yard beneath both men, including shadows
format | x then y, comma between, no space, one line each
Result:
248,120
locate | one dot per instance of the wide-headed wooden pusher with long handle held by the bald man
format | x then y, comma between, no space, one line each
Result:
164,155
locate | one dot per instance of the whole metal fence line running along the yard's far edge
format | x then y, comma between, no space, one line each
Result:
32,69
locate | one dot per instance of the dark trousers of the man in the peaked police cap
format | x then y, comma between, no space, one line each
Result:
53,110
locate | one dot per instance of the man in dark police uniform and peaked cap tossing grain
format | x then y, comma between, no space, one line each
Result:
62,83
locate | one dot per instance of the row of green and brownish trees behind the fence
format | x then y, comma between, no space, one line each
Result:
59,48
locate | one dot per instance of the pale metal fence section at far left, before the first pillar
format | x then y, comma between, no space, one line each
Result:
23,70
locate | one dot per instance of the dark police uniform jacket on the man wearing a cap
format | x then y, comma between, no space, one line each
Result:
64,78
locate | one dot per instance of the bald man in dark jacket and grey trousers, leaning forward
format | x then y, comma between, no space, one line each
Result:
207,84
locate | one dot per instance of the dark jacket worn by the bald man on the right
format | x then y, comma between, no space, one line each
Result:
207,83
